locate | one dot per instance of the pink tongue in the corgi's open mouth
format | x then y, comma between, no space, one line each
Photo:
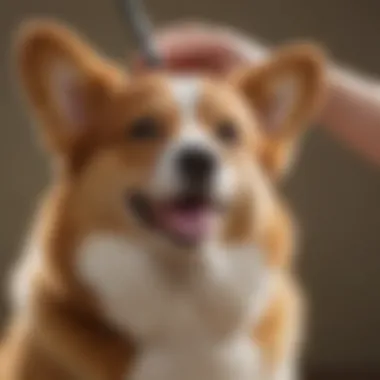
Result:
191,224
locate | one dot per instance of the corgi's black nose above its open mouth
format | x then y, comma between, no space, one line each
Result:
196,165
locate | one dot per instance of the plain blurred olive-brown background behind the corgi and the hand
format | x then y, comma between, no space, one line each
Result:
335,195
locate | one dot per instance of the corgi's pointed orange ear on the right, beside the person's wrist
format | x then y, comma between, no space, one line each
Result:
285,93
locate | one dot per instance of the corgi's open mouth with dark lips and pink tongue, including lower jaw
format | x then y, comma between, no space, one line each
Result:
187,220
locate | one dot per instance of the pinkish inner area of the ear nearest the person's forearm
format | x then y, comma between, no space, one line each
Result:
280,106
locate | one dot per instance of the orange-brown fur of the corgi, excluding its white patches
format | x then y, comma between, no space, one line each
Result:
63,334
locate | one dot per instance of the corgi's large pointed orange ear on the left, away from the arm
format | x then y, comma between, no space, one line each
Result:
65,81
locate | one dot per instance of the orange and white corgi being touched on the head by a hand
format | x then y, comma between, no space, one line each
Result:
162,249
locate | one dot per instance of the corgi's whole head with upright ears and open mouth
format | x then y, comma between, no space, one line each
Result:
160,158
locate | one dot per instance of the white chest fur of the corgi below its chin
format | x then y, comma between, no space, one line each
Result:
193,322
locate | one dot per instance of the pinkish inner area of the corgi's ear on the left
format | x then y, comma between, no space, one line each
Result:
67,91
